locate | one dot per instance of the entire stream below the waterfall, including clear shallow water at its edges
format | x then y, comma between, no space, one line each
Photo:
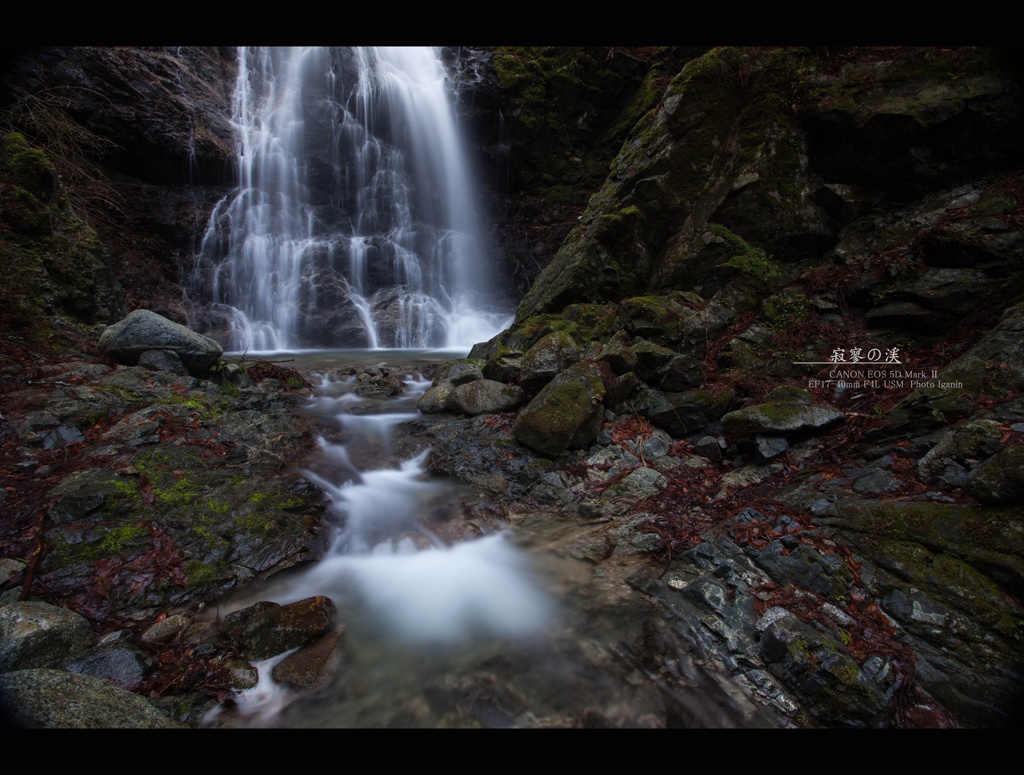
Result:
454,625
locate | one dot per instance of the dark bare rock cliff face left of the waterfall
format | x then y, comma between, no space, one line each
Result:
141,143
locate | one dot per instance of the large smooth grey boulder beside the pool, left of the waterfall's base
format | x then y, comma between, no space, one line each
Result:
143,331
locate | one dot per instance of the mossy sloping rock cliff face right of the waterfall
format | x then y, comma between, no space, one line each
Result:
785,149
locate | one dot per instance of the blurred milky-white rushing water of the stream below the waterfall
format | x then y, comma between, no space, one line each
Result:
410,601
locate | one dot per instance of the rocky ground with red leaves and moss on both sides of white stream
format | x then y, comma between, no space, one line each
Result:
701,583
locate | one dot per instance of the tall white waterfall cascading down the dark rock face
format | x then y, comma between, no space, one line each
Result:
356,223
